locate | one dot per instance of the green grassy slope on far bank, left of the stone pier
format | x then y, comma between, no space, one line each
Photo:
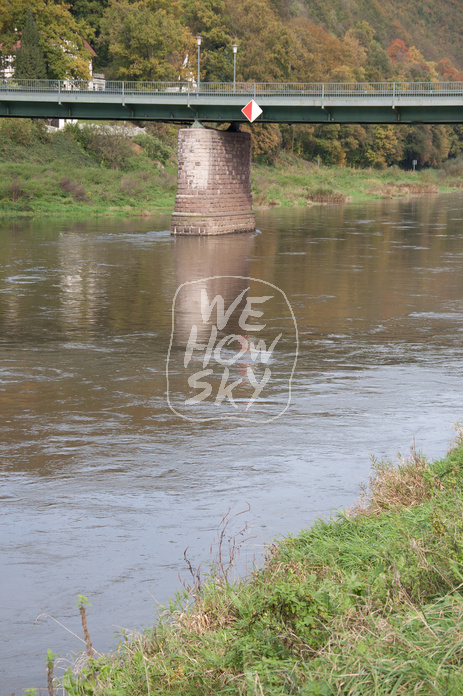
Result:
45,175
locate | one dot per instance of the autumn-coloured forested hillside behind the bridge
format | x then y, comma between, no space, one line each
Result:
278,40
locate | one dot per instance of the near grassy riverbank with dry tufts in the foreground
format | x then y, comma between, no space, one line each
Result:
369,602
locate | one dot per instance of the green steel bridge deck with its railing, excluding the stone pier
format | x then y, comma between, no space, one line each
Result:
375,102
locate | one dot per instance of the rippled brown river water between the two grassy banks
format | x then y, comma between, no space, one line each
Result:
103,486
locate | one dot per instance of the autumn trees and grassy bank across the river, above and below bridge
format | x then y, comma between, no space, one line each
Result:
85,172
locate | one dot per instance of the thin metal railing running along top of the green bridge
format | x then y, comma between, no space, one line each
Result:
229,89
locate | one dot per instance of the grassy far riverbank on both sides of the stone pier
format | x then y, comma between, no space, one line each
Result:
85,173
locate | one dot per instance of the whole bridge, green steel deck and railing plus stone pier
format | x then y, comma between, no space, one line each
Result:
214,166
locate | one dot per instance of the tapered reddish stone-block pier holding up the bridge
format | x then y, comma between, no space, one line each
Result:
214,183
